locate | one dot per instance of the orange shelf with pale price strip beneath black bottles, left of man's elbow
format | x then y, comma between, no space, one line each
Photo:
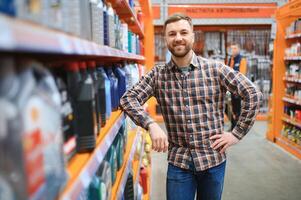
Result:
83,167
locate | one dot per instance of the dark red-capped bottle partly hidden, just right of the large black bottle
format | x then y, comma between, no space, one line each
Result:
97,86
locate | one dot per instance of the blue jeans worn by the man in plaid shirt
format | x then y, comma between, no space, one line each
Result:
183,184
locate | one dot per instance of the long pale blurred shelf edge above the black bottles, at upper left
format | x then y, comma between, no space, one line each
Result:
22,36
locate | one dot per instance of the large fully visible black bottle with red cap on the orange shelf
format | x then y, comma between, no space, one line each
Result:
86,117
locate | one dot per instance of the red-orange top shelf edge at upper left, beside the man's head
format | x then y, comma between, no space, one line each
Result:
125,12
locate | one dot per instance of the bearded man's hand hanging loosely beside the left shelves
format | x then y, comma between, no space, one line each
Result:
159,138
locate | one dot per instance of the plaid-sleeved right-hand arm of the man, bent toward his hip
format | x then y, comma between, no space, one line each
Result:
251,97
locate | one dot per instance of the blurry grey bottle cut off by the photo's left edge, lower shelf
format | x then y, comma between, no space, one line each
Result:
12,174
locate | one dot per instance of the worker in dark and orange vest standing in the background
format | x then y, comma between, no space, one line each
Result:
238,63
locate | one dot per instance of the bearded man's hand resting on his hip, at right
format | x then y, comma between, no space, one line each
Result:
224,140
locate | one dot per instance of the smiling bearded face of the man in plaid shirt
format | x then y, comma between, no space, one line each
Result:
179,38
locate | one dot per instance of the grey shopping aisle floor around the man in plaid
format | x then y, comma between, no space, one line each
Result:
256,169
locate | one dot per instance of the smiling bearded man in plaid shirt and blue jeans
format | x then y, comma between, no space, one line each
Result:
190,91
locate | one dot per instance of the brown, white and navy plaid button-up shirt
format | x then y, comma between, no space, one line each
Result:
192,106
